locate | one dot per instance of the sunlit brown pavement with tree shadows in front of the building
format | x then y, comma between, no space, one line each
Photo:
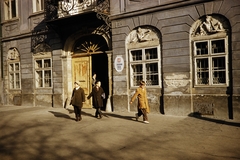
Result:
32,133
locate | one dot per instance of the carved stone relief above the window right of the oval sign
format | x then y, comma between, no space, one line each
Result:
141,35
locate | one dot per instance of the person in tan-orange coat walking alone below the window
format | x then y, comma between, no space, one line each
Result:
143,107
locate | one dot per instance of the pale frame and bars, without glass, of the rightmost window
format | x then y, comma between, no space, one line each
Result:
209,56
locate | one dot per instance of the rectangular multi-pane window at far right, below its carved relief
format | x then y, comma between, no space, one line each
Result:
211,62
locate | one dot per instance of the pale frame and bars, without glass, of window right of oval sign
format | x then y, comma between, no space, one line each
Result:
144,62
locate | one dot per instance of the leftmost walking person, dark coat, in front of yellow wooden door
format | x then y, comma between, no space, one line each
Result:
77,100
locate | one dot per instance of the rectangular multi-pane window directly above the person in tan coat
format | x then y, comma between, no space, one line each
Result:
145,65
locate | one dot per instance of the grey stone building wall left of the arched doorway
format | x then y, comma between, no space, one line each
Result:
19,33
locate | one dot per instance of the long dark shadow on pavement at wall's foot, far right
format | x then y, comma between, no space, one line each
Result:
199,116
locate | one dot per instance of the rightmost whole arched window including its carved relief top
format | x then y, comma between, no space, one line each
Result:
210,41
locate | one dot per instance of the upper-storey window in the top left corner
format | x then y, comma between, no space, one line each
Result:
10,9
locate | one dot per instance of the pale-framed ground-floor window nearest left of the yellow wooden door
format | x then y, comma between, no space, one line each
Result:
43,73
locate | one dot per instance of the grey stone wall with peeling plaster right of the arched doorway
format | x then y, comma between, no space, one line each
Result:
180,96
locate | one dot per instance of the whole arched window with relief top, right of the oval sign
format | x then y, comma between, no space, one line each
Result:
144,56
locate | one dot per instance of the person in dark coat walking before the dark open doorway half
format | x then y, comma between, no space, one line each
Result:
98,95
